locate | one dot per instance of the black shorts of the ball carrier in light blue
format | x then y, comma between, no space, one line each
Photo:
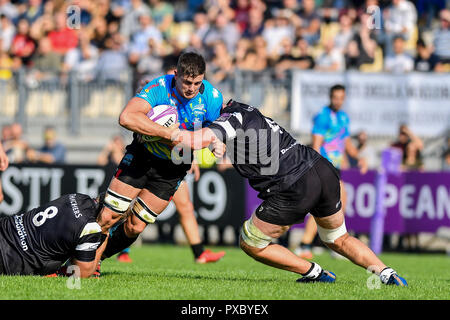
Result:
143,170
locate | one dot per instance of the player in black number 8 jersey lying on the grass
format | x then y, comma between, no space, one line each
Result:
41,240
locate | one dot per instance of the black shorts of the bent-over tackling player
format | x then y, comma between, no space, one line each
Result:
316,192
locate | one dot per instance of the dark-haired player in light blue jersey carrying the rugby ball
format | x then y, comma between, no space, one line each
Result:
146,175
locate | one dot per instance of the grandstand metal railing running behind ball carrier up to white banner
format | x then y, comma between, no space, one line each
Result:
24,97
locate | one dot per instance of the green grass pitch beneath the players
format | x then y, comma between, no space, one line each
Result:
167,272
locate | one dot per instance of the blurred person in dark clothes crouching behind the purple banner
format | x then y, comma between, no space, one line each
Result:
411,147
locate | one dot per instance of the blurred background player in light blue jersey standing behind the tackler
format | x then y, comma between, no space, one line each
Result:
331,138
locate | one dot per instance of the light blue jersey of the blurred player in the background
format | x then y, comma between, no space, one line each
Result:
334,128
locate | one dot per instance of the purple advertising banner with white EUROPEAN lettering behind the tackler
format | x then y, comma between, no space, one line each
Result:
414,201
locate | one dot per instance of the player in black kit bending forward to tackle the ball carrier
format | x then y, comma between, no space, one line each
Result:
293,180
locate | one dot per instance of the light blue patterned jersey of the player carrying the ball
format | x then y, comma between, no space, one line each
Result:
193,114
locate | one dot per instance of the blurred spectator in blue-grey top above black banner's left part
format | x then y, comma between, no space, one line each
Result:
51,152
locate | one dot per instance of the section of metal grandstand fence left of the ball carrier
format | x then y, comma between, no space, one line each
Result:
24,96
